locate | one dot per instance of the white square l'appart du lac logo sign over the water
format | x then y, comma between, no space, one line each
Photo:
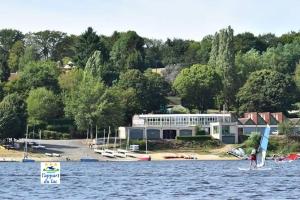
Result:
50,173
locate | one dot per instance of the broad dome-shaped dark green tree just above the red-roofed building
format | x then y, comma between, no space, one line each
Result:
267,91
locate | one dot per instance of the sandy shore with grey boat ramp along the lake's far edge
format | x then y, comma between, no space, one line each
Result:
73,150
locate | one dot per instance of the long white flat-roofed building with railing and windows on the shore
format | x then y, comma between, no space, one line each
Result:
168,126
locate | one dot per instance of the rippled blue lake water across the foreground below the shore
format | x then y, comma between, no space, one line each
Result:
152,180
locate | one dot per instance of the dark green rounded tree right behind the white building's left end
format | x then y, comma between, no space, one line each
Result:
142,93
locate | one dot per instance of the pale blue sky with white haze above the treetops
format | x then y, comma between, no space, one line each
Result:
159,19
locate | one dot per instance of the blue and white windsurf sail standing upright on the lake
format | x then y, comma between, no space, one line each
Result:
262,151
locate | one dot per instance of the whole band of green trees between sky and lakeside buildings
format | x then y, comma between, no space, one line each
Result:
111,81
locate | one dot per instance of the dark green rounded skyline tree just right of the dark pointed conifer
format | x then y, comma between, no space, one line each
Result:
128,52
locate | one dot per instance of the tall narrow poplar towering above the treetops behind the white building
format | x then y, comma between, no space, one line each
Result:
222,59
